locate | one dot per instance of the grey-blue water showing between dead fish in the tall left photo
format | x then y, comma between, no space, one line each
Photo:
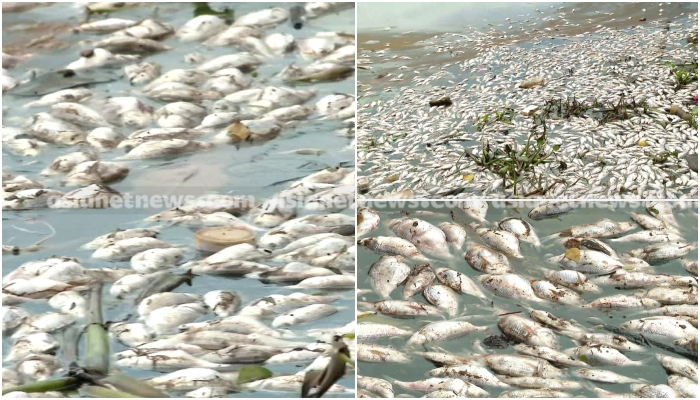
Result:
252,170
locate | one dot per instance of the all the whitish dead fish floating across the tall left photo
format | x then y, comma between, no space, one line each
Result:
305,246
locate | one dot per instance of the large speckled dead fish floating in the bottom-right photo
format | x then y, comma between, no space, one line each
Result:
471,279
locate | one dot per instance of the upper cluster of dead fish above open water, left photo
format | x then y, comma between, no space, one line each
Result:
217,102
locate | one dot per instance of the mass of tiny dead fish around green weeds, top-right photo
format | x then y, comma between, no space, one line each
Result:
409,149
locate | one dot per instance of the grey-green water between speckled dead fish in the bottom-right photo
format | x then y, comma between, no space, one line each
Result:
533,265
